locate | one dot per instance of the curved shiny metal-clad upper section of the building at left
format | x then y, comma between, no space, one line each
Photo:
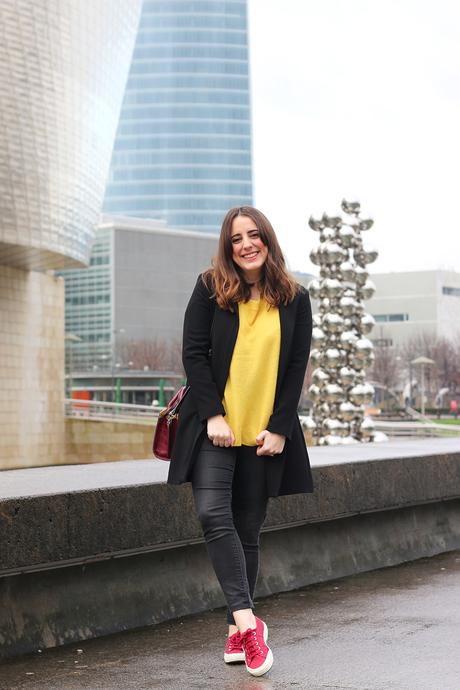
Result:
63,70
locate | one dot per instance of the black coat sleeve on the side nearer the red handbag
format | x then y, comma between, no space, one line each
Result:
195,353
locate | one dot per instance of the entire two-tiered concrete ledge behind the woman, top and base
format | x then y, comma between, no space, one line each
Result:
118,553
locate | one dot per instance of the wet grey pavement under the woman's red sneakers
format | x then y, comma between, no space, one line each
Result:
393,629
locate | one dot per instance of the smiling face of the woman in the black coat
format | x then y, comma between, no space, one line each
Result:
249,251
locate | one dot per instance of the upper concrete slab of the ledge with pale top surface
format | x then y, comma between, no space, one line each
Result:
50,528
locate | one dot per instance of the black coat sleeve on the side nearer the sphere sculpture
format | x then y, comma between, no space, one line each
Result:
285,412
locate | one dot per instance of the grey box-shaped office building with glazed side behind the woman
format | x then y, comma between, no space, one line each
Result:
136,288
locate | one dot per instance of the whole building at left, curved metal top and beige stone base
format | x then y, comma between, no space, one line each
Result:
63,70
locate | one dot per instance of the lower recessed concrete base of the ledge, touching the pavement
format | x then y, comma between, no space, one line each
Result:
62,606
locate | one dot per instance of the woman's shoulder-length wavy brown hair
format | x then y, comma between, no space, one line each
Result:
226,279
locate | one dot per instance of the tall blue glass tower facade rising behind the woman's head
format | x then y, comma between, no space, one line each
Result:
183,146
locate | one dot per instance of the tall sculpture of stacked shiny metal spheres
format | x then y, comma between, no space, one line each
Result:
340,350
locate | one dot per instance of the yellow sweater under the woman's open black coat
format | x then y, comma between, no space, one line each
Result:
250,389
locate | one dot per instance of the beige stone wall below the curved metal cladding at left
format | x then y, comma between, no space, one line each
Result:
31,368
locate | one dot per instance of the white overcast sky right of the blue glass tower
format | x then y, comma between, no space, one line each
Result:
359,98
